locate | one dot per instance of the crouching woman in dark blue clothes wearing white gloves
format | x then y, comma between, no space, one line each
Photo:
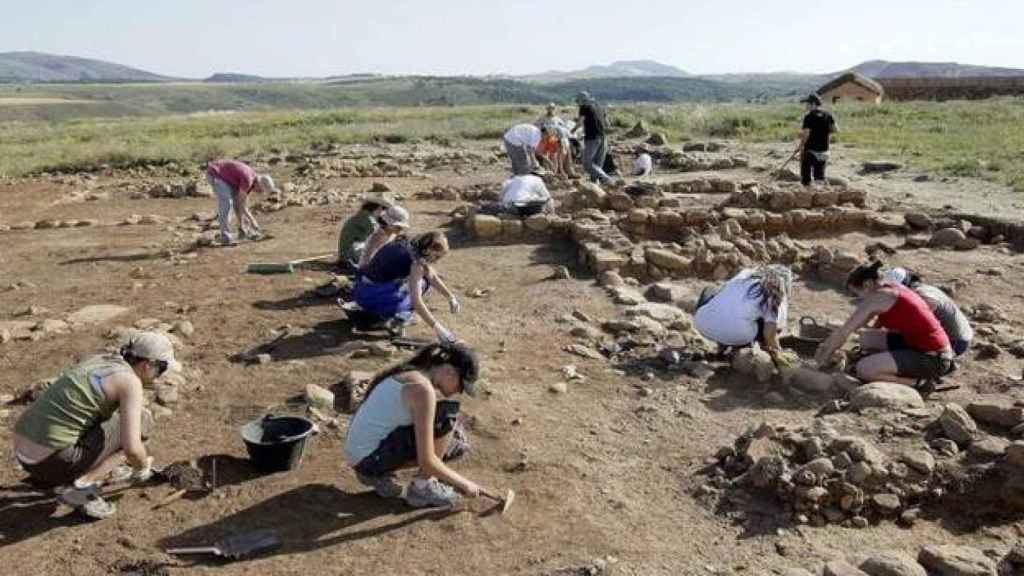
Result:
391,287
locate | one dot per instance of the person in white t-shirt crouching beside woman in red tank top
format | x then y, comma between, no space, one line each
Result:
753,307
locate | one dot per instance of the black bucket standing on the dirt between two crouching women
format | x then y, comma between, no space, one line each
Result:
277,443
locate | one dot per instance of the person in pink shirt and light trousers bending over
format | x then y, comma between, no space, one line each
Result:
233,182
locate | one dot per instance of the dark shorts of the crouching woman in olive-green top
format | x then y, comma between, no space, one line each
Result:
98,444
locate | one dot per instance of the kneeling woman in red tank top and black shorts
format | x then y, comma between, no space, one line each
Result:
910,349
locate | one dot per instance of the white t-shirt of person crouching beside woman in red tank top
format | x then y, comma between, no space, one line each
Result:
732,317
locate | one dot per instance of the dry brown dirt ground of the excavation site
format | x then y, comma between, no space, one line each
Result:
605,474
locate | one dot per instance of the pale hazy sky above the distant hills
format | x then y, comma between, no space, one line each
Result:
316,38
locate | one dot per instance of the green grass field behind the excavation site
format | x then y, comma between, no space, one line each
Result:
963,139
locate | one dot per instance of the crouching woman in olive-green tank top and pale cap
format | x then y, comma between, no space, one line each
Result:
77,430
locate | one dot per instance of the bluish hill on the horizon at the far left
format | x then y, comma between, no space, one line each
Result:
39,67
